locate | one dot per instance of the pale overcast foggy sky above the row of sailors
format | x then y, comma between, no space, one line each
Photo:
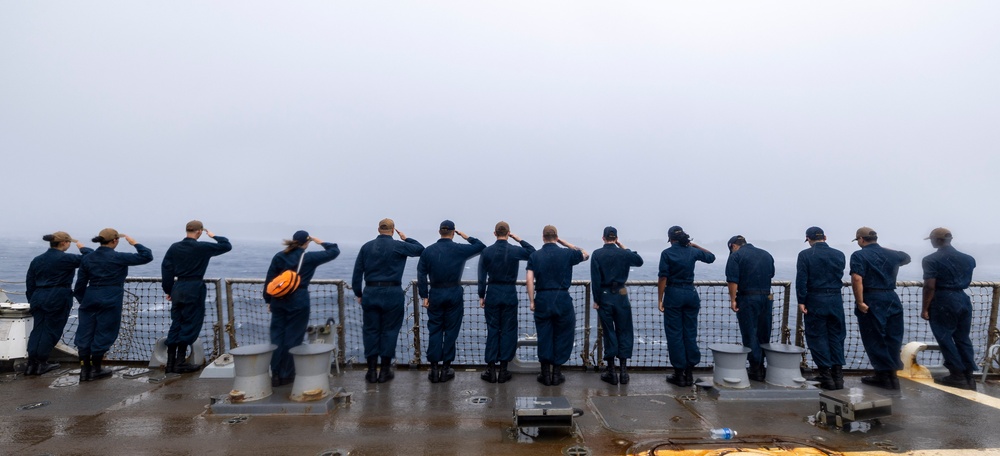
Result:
757,118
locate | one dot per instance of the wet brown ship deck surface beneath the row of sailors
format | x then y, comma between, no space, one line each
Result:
132,415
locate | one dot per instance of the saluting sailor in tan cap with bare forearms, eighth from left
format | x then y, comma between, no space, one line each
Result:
549,276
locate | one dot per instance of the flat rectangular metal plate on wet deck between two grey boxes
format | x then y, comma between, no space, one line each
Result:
646,414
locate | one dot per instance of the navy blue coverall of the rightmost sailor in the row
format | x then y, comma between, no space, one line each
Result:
951,309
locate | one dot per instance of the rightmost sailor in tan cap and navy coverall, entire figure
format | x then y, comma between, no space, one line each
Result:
946,305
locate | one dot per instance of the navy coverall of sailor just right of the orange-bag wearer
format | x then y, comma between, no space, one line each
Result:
378,274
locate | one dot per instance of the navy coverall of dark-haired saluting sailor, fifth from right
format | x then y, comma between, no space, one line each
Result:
681,303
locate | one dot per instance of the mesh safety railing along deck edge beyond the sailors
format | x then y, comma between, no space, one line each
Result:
236,315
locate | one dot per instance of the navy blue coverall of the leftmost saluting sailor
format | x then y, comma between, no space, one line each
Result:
48,286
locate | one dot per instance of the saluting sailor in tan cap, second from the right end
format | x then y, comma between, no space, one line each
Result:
877,306
